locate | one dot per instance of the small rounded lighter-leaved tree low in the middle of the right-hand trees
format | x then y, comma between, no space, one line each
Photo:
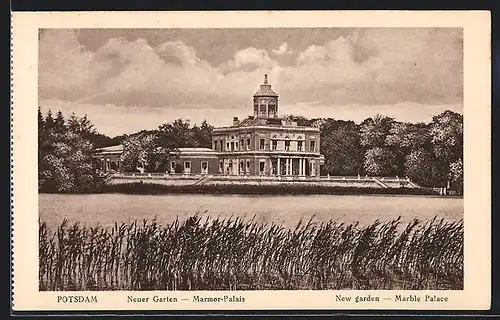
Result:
380,162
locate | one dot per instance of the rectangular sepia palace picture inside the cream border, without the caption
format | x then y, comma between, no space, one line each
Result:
251,159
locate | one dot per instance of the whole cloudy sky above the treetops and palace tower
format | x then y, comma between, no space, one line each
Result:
127,80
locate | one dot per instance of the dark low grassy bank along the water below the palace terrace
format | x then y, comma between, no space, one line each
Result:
278,189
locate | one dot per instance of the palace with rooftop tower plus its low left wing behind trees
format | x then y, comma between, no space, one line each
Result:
263,144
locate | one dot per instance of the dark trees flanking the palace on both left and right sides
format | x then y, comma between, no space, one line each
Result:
430,154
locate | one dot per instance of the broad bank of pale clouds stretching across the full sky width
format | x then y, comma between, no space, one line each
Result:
383,66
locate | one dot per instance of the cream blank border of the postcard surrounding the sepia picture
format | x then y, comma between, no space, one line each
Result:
477,146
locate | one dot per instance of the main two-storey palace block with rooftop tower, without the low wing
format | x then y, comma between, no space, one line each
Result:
267,144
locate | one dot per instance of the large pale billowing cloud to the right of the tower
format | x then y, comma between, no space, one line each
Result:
380,66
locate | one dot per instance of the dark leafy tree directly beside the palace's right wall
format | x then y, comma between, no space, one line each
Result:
341,147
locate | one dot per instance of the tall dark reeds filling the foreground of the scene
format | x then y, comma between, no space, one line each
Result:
234,254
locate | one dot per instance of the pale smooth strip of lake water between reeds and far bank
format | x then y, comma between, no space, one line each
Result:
106,209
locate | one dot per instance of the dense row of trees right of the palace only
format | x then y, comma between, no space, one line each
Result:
430,154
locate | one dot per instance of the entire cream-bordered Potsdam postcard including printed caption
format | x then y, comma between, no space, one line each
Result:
276,160
